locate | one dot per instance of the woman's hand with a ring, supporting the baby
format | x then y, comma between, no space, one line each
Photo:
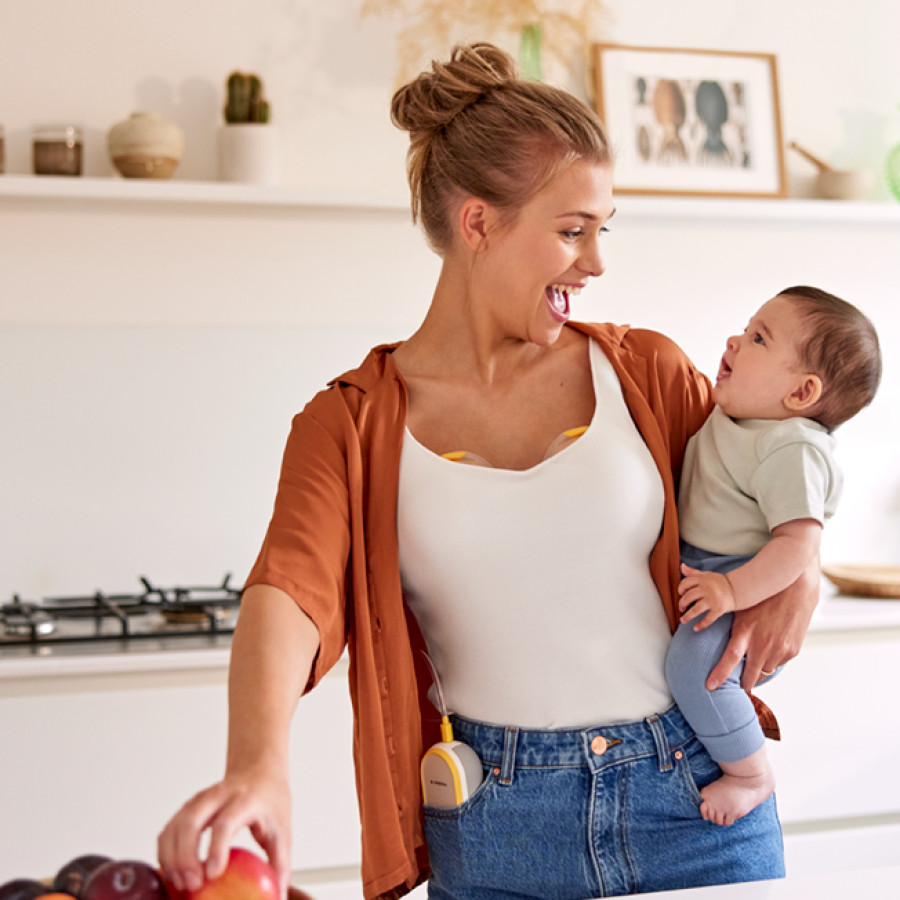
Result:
769,634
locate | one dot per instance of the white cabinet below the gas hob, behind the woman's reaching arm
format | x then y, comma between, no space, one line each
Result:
98,754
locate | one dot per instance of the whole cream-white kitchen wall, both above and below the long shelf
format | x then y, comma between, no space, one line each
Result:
151,357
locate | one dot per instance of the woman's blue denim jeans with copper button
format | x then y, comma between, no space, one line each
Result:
569,814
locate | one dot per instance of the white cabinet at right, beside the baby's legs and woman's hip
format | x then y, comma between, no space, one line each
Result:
838,788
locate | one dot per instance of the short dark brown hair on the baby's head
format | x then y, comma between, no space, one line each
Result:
841,346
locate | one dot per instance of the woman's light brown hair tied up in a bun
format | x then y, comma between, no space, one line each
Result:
478,129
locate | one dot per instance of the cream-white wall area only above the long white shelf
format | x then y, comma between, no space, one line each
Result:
329,74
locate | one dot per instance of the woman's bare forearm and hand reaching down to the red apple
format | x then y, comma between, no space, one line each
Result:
272,655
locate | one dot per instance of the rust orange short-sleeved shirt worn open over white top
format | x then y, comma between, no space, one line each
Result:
332,545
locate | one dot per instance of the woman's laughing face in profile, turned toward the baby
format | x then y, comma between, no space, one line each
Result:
533,267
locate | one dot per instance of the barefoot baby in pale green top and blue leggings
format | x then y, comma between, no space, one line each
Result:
759,482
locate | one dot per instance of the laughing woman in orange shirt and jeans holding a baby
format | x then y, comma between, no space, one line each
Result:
527,576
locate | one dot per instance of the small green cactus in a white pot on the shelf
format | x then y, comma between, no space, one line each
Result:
247,152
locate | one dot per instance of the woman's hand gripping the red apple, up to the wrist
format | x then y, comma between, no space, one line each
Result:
259,801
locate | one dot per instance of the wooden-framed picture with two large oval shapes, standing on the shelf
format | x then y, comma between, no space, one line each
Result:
691,122
